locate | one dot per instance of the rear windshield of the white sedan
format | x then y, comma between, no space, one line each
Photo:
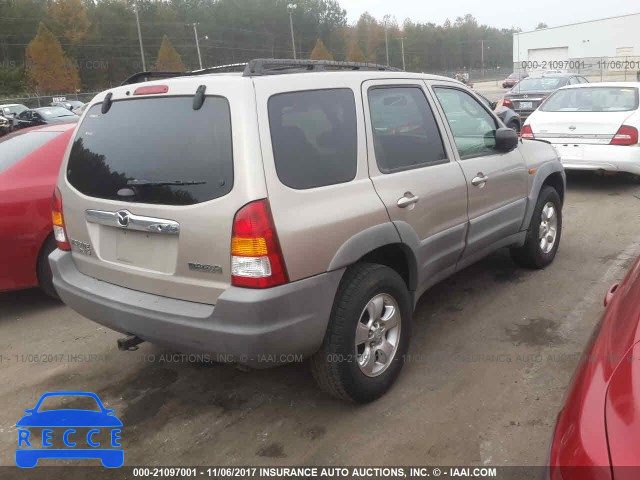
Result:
593,99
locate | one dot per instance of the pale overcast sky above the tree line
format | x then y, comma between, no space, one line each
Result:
525,14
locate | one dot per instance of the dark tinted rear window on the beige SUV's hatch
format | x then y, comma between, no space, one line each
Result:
154,150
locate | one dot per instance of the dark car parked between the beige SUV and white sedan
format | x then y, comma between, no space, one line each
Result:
529,93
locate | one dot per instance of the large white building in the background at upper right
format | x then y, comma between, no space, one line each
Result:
608,39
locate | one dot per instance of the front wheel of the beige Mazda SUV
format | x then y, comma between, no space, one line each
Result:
534,253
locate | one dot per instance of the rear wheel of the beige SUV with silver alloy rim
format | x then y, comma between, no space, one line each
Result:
339,366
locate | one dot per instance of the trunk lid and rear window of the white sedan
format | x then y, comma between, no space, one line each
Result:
584,115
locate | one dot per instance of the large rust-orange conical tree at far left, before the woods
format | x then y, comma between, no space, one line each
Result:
48,69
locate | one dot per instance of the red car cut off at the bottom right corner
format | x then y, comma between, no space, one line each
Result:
597,431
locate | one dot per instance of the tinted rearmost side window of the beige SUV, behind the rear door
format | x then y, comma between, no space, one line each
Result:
314,137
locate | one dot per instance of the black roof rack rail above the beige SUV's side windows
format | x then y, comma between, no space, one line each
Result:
275,66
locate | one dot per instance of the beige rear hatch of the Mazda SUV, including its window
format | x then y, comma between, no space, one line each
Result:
151,186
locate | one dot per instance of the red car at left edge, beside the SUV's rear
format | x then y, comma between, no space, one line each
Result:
29,164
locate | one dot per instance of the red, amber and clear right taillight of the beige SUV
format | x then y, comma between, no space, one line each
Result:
256,256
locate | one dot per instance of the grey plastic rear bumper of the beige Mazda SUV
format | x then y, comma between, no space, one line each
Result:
257,328
